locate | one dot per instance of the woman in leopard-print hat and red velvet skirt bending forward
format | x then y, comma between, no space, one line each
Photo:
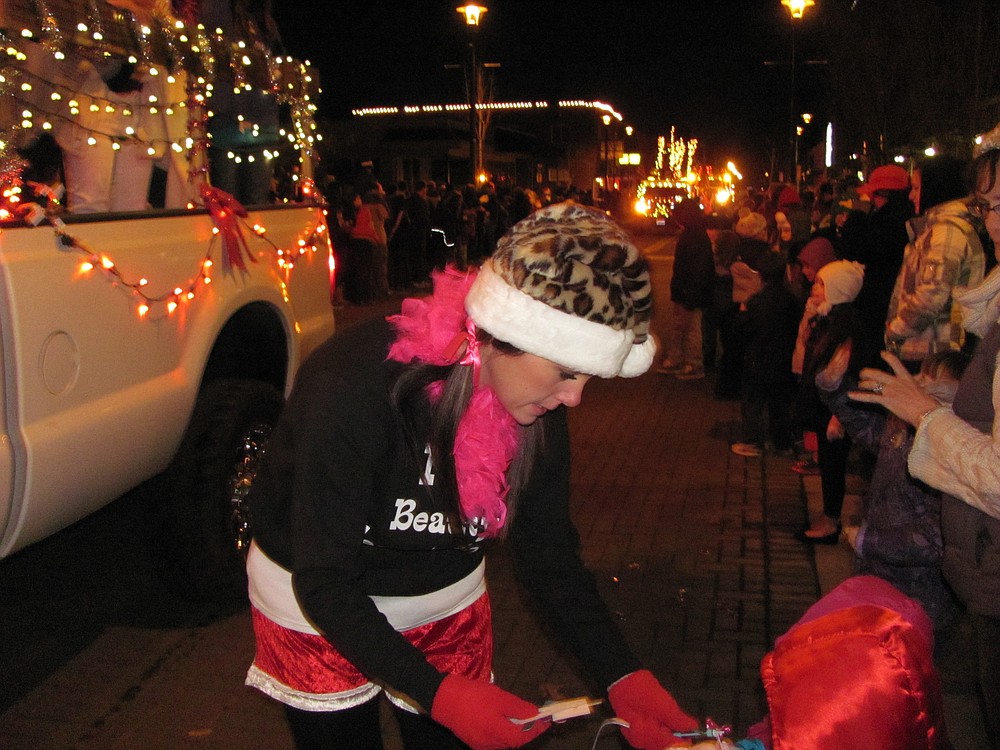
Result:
403,451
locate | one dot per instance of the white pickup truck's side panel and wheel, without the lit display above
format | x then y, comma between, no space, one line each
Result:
131,349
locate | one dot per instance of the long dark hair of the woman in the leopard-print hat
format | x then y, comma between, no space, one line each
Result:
408,393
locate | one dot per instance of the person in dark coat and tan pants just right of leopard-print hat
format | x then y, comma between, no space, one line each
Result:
690,293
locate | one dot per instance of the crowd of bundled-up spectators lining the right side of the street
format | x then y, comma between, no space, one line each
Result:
891,285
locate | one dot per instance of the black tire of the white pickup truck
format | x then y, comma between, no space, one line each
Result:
206,521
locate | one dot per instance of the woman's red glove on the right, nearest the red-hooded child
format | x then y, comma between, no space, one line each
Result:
652,713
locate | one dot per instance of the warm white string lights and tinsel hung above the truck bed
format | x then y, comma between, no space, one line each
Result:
165,51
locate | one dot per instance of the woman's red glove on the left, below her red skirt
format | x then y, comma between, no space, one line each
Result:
480,714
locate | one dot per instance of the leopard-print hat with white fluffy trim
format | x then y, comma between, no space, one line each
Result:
568,285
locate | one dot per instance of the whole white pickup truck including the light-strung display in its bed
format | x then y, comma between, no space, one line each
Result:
147,348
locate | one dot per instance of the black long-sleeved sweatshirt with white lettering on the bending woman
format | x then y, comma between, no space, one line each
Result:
335,502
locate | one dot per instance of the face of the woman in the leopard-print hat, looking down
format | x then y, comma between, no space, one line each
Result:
529,386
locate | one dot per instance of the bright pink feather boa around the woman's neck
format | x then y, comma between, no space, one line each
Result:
432,330
